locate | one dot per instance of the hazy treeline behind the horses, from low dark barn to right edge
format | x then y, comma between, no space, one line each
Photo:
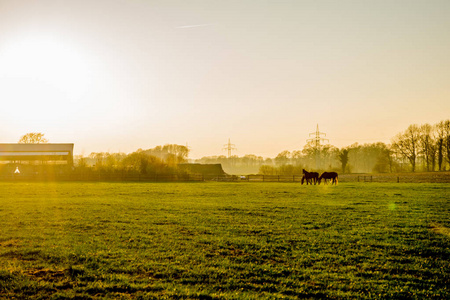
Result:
419,148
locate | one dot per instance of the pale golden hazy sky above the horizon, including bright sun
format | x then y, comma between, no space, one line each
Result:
115,76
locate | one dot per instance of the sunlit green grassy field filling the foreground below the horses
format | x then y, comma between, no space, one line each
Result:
224,241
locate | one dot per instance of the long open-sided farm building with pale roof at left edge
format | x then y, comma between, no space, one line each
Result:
35,158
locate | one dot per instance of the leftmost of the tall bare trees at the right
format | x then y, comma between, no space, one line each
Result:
406,144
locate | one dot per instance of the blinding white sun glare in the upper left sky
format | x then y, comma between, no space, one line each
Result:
41,75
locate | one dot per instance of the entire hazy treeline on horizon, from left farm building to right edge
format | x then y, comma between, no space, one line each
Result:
418,148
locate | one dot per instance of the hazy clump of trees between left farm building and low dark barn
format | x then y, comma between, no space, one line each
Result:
159,160
